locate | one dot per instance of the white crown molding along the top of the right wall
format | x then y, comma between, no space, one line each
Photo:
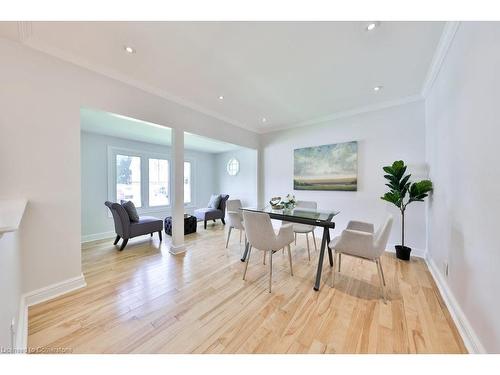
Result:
447,37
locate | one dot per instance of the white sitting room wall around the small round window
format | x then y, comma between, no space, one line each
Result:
243,186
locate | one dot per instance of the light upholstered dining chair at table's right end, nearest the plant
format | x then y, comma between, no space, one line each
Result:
359,240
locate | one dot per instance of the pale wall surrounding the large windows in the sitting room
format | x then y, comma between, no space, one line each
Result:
96,223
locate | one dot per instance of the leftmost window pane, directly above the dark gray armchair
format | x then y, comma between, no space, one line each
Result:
128,179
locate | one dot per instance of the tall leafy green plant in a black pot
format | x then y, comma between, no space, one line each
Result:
400,185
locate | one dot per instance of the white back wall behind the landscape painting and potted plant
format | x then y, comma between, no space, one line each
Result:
383,136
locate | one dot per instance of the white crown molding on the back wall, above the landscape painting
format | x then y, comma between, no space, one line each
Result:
346,114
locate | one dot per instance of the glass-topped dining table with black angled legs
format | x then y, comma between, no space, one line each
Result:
317,218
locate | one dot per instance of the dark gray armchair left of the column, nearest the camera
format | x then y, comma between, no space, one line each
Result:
127,229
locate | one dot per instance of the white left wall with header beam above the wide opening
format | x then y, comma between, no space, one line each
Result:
41,98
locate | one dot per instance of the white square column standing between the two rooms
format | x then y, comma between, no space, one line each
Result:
177,201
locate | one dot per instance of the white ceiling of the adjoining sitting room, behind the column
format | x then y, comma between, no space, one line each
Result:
113,125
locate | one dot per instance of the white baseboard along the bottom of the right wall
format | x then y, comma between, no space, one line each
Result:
469,337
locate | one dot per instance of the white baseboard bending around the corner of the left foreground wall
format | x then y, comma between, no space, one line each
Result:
38,296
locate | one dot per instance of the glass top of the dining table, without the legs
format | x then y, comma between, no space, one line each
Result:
297,213
